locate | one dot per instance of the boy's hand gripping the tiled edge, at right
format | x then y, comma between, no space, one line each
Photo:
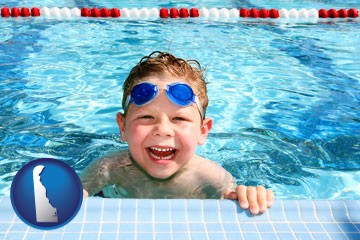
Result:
256,199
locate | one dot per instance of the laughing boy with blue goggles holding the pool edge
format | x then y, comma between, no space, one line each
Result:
164,103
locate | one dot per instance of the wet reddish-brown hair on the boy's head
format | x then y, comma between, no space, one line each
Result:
163,63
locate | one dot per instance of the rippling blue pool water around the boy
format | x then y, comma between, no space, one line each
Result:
284,96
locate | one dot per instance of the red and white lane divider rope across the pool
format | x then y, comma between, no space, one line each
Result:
144,13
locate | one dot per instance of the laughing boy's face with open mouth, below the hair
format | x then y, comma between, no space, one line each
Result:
162,136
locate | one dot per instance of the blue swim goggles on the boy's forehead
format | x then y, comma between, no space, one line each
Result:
180,94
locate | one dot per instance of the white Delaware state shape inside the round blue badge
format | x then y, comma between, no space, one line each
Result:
45,212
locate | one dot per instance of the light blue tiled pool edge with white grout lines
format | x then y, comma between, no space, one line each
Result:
182,219
